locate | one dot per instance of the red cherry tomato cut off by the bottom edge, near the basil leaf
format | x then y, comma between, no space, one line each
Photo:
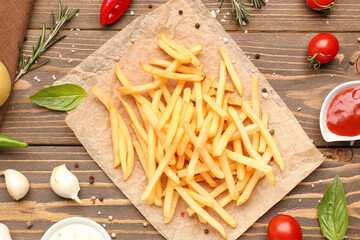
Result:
284,227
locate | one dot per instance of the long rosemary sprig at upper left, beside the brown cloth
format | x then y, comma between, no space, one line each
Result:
26,63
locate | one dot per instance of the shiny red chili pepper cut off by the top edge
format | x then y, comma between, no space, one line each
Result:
111,10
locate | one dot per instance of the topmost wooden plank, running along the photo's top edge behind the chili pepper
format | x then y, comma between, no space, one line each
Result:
277,15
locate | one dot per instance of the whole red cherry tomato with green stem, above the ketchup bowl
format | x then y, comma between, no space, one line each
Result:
322,49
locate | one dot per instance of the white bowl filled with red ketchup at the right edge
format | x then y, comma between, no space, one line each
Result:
340,113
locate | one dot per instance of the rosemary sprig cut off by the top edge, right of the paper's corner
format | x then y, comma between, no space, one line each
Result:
240,12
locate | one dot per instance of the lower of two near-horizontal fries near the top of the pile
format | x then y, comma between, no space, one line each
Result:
170,75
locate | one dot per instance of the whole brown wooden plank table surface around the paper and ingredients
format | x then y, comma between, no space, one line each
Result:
279,32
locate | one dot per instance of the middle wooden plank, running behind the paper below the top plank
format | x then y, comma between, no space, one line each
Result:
282,61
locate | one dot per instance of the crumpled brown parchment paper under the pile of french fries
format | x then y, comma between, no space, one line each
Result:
90,120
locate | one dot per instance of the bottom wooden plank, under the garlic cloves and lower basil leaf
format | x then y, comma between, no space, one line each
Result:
43,207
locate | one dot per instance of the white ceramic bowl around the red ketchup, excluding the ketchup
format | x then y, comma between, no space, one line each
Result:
327,135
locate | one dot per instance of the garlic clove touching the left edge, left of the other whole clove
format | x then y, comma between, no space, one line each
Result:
16,183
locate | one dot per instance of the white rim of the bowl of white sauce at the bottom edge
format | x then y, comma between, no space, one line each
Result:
75,220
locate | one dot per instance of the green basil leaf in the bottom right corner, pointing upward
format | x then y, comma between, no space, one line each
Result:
333,212
